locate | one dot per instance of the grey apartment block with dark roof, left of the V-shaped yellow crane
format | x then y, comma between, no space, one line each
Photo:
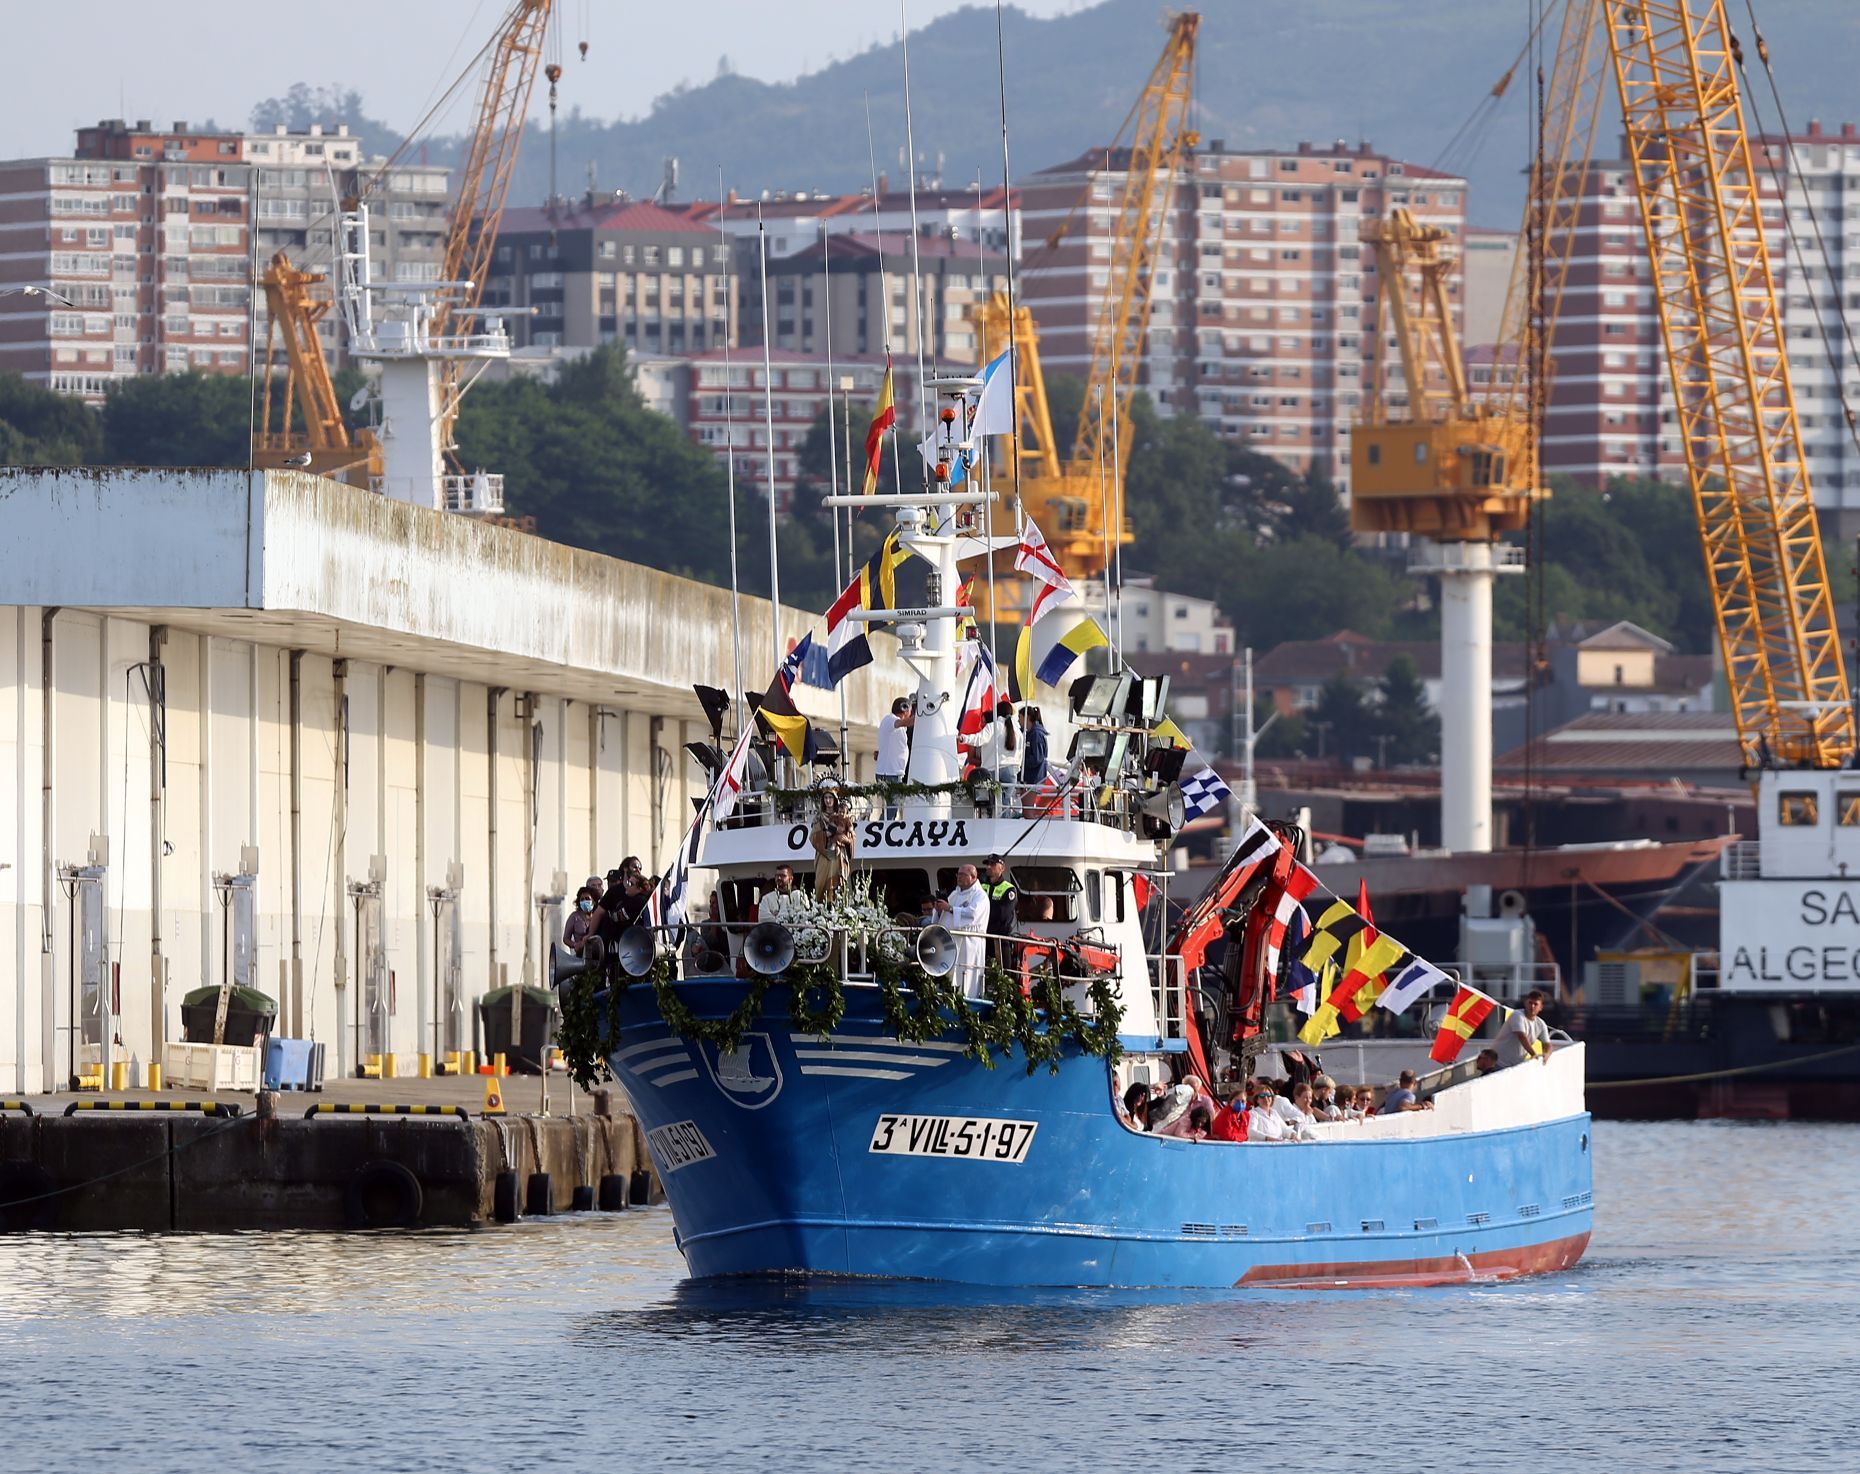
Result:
884,295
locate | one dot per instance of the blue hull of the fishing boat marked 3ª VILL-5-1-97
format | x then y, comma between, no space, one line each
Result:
871,1157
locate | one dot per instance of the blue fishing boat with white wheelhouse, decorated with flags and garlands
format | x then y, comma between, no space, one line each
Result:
883,1082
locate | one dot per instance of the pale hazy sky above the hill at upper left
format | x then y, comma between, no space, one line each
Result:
204,60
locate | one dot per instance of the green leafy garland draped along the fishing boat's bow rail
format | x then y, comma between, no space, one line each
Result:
1039,1026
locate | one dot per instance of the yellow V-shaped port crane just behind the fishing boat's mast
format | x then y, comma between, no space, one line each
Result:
1078,500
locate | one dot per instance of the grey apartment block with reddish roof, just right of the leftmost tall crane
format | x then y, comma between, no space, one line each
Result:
604,271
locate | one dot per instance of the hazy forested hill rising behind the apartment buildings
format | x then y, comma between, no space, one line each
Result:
1402,74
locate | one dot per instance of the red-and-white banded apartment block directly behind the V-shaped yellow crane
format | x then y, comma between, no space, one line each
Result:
1264,295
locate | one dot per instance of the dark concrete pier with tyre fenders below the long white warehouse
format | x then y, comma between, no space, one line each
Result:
129,1164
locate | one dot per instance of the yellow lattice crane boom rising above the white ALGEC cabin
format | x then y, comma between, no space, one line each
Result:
1675,68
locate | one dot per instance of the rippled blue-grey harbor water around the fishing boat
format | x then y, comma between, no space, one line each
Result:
1708,1330
